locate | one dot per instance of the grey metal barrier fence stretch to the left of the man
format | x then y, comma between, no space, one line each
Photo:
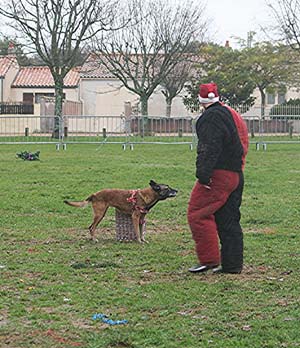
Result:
96,130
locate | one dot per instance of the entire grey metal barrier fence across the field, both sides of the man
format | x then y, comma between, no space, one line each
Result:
134,130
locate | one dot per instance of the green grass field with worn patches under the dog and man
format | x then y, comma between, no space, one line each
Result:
53,279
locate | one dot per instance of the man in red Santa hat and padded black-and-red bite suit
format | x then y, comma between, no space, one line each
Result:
214,206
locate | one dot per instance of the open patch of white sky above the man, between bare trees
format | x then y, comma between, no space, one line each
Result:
235,18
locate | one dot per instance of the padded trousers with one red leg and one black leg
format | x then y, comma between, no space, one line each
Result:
214,215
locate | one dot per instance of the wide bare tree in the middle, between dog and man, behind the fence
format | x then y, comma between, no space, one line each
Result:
143,54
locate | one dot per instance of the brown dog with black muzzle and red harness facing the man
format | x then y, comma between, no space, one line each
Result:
137,203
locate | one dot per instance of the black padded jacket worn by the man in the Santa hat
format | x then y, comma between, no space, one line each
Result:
219,145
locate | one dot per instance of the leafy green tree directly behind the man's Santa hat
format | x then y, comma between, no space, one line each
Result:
222,65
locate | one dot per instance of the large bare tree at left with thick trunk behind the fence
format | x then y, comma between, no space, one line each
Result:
57,31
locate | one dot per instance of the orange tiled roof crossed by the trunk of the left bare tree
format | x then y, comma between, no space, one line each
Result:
40,76
